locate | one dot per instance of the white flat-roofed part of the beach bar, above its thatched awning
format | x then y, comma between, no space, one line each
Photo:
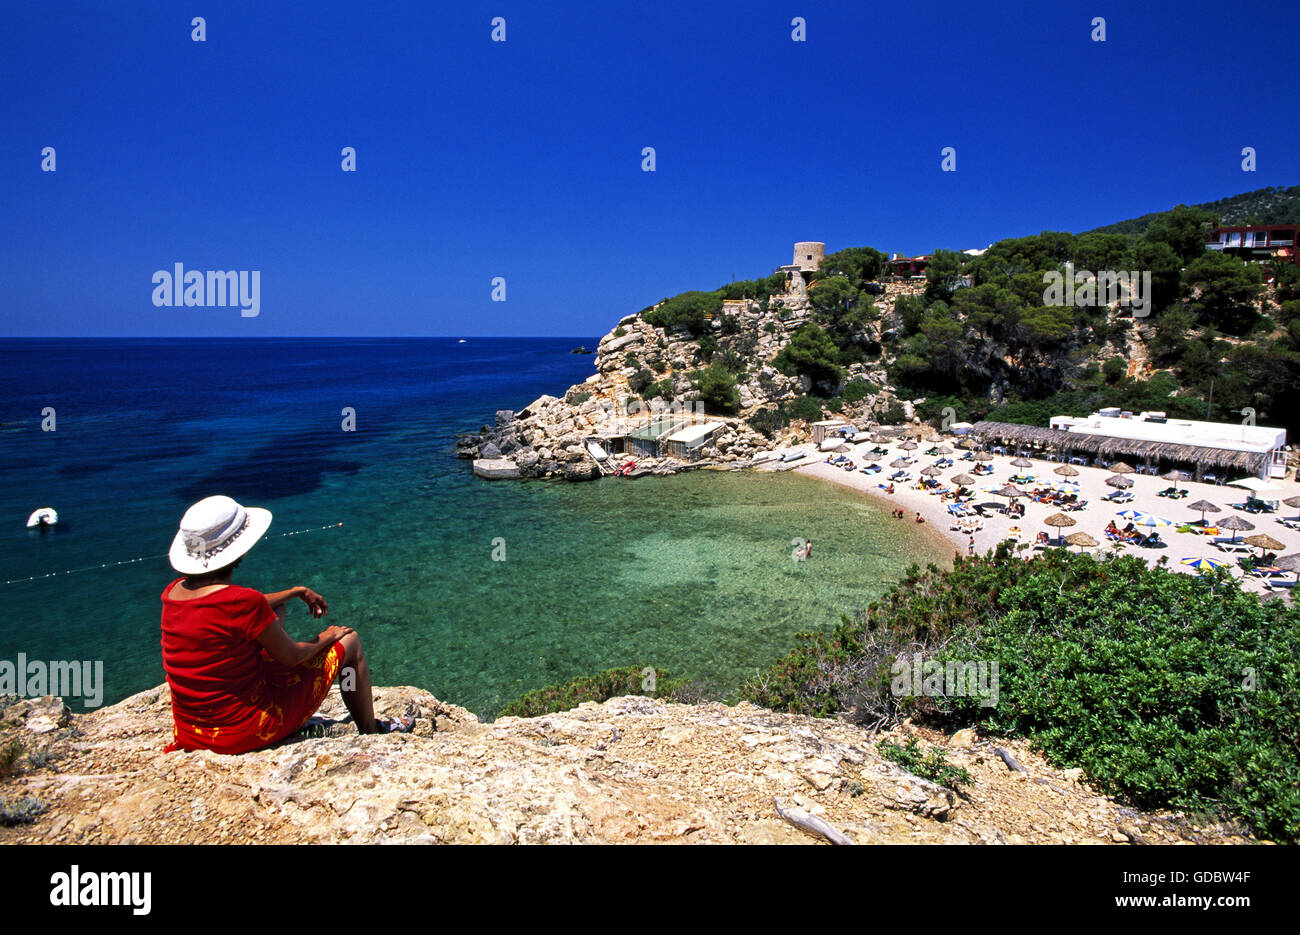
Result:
1267,443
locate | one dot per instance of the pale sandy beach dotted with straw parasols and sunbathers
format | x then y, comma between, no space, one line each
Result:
1093,520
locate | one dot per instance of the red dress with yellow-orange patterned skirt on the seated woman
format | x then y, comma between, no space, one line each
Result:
228,695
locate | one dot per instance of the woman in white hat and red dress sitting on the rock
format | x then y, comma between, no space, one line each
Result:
239,681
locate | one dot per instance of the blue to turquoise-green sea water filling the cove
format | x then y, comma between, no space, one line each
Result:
690,573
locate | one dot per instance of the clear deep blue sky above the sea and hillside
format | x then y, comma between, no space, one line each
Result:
523,159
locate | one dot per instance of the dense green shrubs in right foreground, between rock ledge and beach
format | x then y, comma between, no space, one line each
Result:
1169,691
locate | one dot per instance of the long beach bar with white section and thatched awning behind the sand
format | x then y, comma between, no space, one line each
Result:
1214,452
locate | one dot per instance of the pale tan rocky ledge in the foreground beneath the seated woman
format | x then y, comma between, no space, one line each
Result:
631,770
